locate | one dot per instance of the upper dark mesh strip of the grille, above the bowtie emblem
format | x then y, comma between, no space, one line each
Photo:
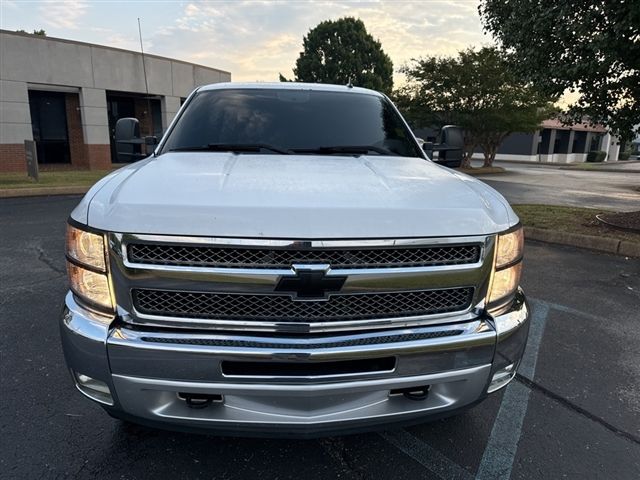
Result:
204,256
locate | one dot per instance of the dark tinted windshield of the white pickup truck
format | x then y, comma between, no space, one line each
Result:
298,121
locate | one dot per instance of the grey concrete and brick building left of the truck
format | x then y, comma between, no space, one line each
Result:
68,95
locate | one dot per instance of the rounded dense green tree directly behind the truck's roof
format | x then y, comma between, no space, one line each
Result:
340,52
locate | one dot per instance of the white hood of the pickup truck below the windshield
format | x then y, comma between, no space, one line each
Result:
293,197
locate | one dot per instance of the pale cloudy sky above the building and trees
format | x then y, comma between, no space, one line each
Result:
254,40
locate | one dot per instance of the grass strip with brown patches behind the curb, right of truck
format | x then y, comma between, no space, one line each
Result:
570,219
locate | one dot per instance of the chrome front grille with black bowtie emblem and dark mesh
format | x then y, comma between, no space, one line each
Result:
260,284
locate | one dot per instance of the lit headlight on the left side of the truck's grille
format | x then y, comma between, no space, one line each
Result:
86,266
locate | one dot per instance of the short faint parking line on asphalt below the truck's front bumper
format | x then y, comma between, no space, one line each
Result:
428,457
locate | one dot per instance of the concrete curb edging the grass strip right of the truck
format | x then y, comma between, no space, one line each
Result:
599,244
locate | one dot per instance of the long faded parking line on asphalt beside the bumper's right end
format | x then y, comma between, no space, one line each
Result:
497,460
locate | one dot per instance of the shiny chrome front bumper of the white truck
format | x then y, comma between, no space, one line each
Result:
145,370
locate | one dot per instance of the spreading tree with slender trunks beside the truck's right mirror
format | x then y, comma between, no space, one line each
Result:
476,90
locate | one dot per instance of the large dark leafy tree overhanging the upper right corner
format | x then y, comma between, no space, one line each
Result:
591,47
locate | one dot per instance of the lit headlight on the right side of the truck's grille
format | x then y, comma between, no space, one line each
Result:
508,267
